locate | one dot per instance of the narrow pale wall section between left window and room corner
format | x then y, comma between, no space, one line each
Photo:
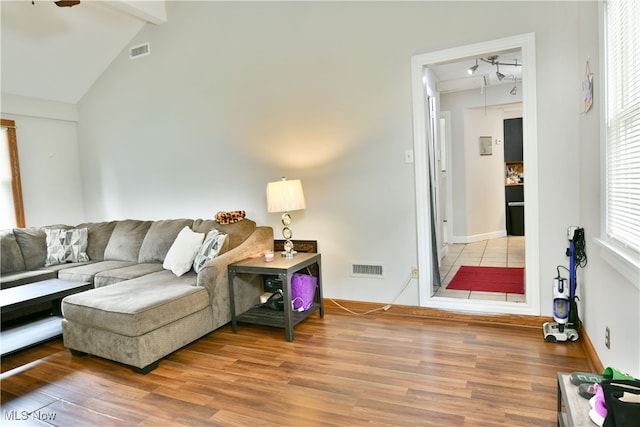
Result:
49,159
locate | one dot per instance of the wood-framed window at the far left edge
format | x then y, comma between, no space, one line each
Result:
11,211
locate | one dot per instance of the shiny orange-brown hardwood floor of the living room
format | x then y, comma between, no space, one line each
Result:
382,369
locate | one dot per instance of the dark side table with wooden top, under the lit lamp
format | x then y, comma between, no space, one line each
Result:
284,269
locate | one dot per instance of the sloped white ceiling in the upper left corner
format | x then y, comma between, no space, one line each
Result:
57,53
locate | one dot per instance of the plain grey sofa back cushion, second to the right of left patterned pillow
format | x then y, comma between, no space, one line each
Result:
126,240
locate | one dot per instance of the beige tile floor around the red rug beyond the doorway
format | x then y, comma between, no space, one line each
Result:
502,252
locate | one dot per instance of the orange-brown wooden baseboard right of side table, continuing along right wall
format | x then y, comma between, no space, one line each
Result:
505,319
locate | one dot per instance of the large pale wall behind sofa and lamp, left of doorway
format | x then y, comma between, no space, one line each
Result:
236,95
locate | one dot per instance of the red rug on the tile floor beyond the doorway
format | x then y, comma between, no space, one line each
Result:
489,279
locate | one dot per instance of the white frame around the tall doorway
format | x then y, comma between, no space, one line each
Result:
525,42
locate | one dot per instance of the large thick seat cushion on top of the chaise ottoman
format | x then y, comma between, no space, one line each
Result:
137,306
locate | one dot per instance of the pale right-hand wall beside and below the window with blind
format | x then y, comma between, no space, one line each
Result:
607,298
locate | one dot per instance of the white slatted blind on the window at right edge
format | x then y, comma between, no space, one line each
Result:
623,123
